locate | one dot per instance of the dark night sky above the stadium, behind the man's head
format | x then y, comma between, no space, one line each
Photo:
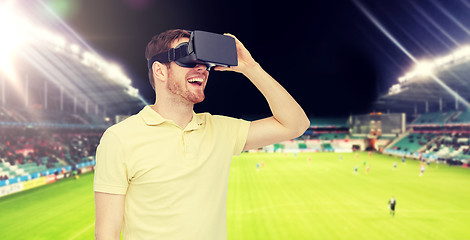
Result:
327,54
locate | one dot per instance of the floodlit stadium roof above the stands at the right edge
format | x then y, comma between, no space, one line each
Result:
441,84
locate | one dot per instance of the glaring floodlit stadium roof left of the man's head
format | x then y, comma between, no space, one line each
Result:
42,47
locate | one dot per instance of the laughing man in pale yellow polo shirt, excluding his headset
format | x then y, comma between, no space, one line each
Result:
163,173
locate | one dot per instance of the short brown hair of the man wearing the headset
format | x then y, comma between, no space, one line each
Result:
161,43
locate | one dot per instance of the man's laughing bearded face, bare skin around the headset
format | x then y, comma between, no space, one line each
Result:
187,84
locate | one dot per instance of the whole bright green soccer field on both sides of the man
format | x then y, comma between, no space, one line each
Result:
288,197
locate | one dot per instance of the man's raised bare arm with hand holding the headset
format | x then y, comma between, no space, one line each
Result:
288,121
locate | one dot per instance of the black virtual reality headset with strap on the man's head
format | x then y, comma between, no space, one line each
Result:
205,48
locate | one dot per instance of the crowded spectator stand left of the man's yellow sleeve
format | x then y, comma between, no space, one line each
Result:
29,151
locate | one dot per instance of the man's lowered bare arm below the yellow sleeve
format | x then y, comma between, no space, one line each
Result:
109,214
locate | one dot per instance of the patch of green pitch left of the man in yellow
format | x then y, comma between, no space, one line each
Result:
62,210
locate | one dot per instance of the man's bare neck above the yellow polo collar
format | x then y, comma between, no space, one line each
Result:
181,114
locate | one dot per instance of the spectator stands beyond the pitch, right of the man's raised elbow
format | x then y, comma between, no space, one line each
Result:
434,136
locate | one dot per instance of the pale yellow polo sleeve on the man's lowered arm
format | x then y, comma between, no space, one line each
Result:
110,170
